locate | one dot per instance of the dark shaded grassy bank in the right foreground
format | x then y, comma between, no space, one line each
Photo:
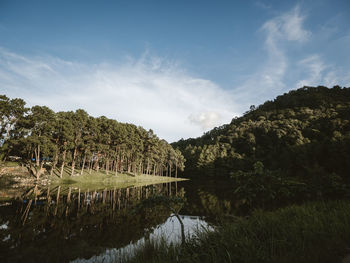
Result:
313,232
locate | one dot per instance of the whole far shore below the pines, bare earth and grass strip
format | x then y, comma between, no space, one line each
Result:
15,179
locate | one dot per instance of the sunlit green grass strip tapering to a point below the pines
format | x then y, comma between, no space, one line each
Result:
100,180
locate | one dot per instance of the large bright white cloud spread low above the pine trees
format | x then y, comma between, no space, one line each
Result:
152,92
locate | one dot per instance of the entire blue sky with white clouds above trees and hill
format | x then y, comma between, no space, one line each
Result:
178,67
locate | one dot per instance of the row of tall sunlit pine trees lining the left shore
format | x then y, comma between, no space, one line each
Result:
75,139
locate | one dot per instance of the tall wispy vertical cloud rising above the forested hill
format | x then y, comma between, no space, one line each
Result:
268,81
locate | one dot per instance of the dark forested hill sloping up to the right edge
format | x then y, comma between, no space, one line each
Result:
304,133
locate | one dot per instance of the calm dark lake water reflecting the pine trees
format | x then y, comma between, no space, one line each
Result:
64,224
